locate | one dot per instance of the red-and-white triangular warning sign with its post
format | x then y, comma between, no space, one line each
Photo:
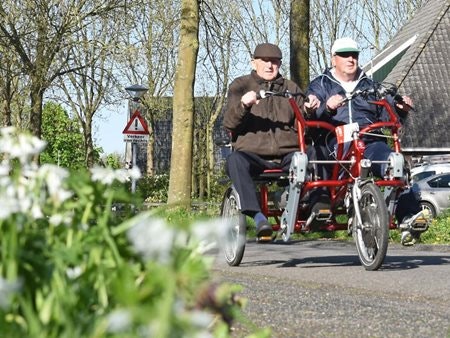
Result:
135,131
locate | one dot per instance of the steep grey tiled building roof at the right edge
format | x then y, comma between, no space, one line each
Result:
417,61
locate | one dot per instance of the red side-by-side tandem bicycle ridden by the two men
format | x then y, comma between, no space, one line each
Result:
359,202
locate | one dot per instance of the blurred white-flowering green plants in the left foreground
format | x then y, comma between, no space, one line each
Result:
71,267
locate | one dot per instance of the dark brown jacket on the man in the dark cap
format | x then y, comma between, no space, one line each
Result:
267,128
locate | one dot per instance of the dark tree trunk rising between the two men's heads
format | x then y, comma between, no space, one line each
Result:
299,35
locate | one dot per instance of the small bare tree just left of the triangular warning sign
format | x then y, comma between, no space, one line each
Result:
90,86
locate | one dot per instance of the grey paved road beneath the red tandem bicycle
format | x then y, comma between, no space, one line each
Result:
319,289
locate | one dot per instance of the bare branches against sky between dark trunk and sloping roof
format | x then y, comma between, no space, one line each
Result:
371,22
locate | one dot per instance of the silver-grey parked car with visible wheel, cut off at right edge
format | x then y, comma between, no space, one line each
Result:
433,192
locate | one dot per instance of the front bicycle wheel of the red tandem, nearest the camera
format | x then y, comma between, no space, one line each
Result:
371,236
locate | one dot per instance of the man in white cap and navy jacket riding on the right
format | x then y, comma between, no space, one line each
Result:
331,87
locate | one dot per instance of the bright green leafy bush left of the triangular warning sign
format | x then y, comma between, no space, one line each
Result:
65,142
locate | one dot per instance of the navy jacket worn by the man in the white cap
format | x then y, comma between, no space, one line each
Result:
357,110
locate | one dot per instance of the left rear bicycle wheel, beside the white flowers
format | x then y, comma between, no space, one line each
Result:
236,224
